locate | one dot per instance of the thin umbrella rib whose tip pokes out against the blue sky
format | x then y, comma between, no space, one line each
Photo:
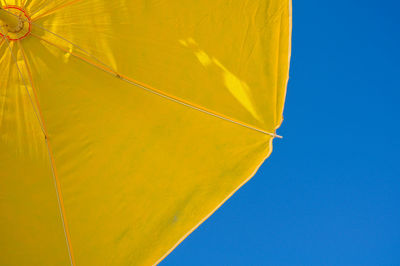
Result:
160,93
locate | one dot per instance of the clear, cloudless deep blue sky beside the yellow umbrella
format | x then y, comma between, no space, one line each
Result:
330,192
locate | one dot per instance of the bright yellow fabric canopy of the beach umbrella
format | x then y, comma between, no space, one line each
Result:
124,174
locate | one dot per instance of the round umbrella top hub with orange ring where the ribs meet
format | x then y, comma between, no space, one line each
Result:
14,23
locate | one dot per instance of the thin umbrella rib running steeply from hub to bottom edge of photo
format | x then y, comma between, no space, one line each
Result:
56,181
